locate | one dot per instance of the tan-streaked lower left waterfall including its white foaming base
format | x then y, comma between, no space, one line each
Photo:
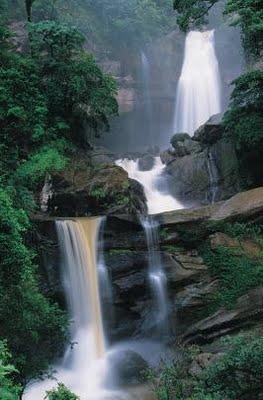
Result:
84,367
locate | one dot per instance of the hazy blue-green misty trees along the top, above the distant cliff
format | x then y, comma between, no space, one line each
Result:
119,25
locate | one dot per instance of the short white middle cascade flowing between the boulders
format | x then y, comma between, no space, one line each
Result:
157,201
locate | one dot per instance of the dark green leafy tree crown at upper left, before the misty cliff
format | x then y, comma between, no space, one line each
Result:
78,92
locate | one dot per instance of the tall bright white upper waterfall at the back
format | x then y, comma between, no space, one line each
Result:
198,91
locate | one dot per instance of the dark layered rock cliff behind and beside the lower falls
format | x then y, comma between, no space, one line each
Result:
190,243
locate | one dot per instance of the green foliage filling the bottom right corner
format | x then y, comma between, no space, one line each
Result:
236,375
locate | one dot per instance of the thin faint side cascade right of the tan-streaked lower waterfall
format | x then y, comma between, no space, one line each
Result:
157,277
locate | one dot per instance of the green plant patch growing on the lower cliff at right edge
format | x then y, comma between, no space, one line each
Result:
236,272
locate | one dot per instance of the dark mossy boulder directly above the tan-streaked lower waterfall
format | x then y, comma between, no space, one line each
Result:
105,190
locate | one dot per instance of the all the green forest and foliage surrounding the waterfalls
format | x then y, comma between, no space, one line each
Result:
55,101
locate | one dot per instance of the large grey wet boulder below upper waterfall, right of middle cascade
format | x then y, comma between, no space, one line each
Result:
203,169
